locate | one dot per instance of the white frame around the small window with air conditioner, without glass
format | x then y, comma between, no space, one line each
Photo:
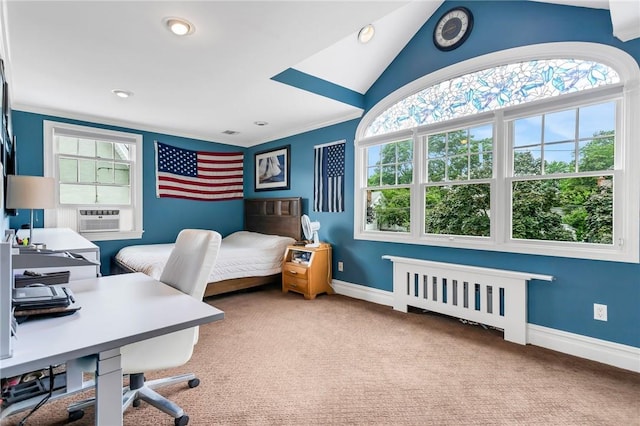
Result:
65,215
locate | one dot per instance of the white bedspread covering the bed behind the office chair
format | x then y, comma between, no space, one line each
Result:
242,254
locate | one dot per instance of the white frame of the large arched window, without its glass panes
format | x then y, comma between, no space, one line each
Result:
626,247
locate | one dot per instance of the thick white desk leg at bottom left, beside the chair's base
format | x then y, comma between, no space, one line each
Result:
109,389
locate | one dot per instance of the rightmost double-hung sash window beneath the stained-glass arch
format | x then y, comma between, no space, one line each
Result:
562,176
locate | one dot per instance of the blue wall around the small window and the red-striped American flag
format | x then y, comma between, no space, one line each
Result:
163,217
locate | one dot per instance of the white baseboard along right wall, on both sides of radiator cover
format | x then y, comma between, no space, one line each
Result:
615,354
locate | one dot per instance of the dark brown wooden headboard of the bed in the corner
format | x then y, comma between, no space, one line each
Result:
275,216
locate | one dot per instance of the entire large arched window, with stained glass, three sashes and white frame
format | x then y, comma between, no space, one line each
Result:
529,155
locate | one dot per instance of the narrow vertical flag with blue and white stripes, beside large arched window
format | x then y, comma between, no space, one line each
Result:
328,177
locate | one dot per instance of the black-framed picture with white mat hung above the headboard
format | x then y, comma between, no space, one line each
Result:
272,169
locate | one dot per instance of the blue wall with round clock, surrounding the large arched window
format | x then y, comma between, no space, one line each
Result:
565,304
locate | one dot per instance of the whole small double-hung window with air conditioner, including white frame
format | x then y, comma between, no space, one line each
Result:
99,175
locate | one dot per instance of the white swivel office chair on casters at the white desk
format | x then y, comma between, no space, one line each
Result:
188,269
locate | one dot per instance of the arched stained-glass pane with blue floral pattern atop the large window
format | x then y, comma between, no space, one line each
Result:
492,89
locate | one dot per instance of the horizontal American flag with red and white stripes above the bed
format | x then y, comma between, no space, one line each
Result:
198,175
